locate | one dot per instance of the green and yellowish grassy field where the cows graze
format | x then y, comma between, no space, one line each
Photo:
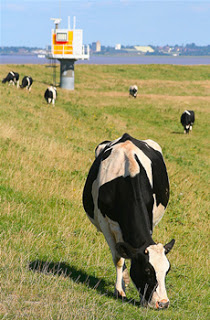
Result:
54,264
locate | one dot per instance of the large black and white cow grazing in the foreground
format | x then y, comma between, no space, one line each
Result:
125,196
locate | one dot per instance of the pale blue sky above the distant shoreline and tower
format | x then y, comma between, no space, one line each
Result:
127,22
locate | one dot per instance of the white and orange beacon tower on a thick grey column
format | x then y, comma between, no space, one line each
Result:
67,47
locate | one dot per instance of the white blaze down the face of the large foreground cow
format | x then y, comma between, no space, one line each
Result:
160,263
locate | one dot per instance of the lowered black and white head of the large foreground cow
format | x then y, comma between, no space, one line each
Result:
148,271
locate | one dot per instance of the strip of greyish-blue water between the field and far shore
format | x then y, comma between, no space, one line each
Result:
18,59
